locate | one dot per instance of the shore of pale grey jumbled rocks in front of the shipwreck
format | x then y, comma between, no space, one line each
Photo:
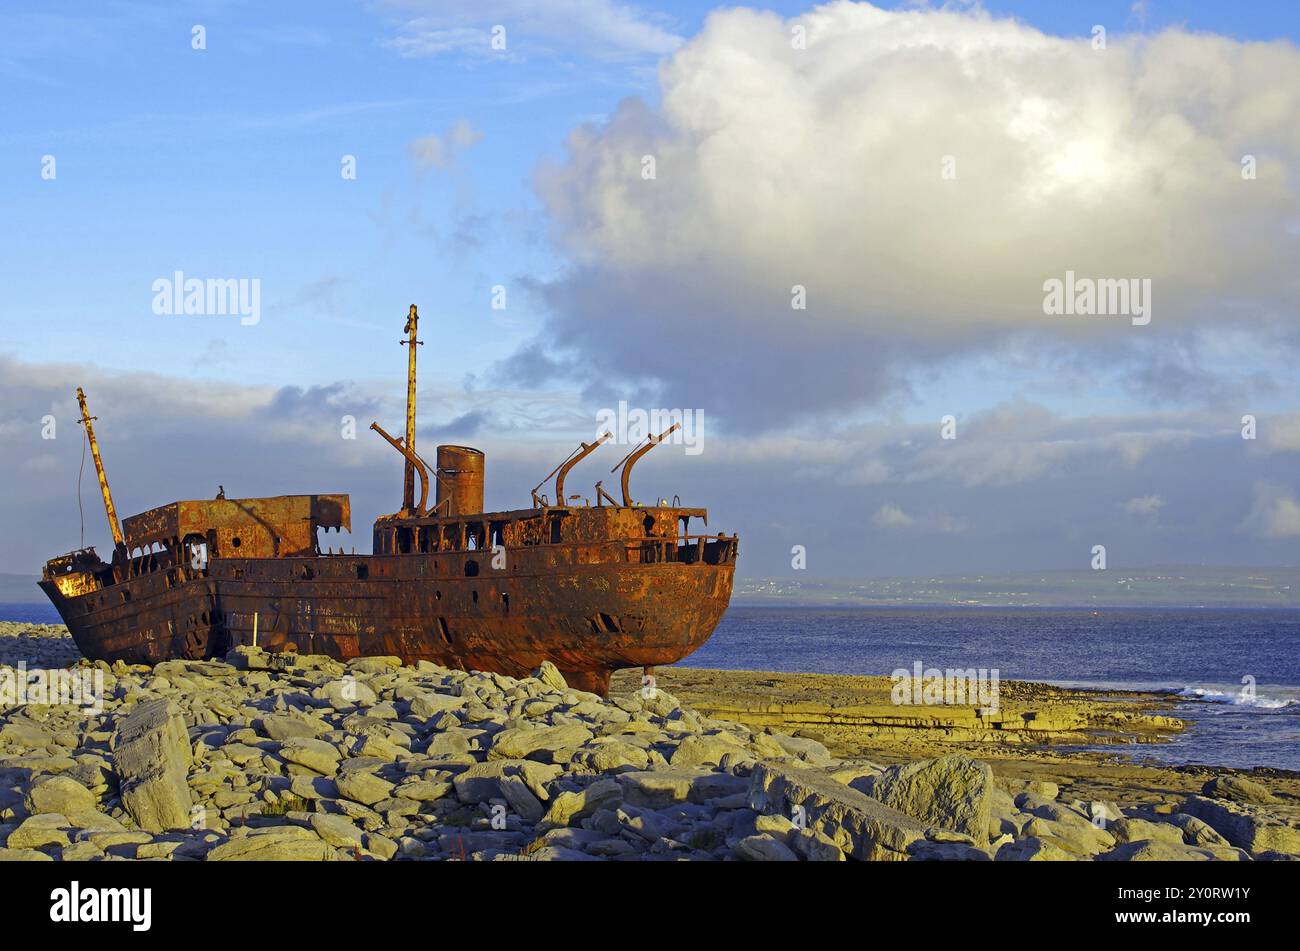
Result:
285,757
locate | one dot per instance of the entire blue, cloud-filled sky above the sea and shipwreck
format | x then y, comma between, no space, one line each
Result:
820,229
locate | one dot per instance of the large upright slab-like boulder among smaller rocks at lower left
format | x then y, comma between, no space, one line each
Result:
151,758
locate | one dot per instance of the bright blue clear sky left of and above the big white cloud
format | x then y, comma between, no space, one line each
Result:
226,162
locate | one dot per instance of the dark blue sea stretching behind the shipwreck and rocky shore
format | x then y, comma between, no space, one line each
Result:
1202,655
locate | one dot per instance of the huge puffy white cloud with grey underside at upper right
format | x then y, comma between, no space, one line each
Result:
822,167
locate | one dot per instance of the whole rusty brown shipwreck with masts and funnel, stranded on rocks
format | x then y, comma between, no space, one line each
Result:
592,587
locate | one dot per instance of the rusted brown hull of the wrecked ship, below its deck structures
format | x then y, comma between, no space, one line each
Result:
452,609
